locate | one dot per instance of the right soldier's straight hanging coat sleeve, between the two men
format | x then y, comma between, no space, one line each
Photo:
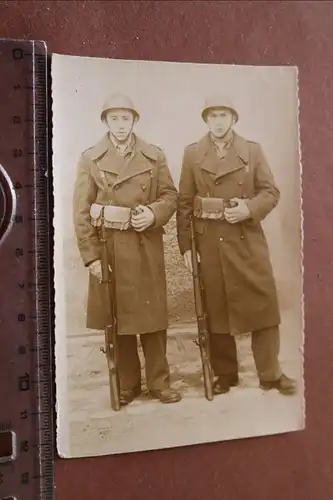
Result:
187,192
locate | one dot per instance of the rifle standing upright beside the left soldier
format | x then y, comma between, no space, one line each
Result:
110,329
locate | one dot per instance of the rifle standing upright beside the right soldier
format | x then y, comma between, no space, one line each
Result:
203,330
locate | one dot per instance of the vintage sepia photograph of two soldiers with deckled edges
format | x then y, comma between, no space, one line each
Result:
177,254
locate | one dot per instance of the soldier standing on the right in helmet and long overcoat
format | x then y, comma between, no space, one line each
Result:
226,183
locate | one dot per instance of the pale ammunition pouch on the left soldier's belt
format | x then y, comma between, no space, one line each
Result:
114,217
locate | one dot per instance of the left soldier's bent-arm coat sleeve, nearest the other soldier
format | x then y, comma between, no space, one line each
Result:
166,194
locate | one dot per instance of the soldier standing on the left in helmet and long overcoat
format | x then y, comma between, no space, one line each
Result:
124,172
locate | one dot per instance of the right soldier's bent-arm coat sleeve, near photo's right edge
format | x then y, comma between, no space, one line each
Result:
267,194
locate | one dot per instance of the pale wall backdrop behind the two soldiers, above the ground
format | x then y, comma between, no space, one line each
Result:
170,97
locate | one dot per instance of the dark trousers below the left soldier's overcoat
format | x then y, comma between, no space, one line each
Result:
156,365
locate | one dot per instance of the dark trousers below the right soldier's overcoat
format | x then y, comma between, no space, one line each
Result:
265,346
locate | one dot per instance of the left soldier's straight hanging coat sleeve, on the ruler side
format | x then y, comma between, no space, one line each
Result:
85,191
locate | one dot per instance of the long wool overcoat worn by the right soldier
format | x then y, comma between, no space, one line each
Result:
239,286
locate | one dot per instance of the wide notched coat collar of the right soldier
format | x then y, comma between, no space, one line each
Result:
237,157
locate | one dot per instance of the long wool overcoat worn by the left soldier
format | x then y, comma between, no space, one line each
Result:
143,177
